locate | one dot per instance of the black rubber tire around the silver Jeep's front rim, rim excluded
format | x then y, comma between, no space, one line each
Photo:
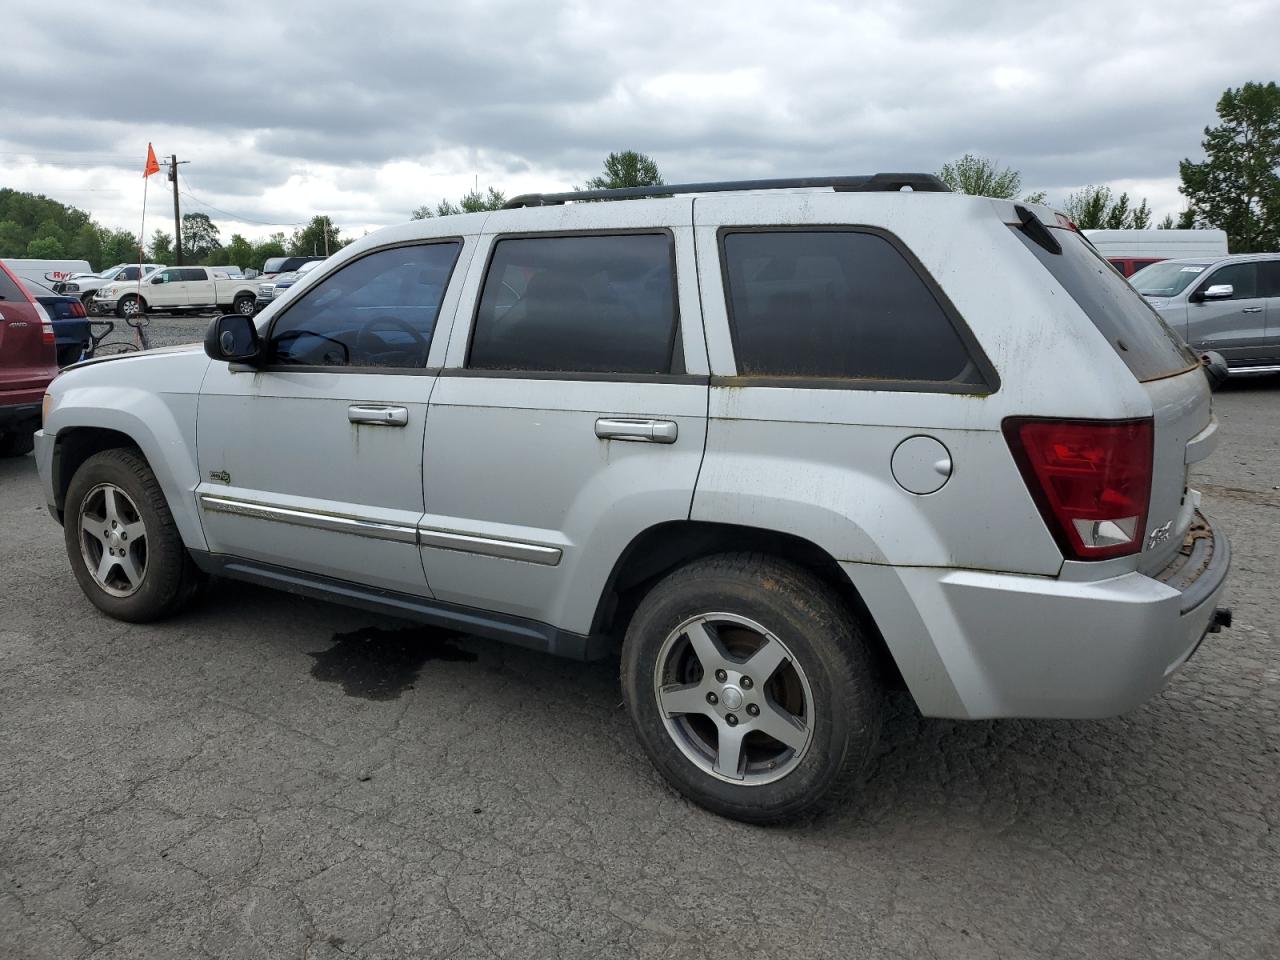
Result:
163,582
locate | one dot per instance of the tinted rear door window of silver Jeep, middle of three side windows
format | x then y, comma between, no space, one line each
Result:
602,304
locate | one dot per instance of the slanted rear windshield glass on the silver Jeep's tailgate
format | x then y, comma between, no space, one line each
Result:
1137,333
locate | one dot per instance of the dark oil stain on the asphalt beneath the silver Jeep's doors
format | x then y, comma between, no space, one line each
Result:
381,665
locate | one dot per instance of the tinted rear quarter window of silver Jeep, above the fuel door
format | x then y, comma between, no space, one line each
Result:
836,304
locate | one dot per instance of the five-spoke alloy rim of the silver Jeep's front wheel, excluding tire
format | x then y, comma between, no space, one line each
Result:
113,541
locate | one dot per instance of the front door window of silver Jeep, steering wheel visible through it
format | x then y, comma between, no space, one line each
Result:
376,312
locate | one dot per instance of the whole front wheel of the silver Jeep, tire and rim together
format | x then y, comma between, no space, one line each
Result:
122,542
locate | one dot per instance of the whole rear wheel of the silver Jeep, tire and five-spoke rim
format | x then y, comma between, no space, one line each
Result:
752,688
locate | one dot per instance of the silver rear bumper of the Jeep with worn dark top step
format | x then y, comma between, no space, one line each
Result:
1007,646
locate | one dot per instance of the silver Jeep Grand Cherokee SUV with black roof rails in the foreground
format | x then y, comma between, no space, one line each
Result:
792,444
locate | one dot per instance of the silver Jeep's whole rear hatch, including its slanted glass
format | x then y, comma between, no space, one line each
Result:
1159,359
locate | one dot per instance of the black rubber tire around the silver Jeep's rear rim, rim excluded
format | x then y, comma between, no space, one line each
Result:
824,638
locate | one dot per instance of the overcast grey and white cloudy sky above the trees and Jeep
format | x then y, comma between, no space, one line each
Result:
364,112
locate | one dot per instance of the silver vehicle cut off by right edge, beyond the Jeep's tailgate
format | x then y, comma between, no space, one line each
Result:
1229,305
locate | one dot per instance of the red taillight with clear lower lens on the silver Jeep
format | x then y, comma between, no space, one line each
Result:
1091,481
